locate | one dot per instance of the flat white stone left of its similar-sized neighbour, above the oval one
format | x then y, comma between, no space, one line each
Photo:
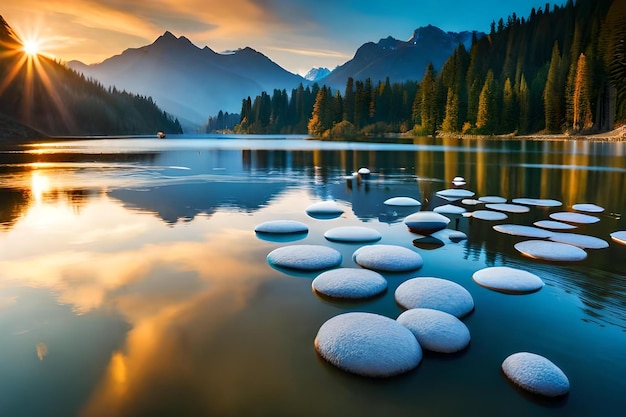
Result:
305,257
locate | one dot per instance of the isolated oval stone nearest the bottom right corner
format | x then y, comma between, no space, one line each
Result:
536,374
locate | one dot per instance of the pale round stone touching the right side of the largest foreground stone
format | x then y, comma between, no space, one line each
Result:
436,330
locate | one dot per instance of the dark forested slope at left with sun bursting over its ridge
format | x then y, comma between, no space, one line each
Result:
40,94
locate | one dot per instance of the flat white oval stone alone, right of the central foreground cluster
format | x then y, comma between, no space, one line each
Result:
508,280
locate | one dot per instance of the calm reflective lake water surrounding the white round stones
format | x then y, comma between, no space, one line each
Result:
132,282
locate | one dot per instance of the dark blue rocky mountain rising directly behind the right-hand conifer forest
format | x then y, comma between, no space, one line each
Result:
401,60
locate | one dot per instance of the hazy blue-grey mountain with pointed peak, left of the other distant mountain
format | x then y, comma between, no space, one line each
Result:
190,82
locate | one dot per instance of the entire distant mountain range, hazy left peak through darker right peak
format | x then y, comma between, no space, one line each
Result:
194,83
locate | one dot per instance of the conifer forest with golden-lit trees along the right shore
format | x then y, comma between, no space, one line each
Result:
560,70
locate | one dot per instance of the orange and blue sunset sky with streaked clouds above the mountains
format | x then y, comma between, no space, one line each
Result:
296,34
